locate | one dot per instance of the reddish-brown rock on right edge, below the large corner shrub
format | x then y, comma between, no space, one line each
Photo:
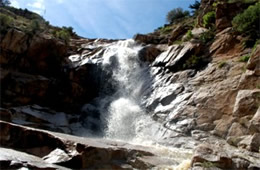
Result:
254,61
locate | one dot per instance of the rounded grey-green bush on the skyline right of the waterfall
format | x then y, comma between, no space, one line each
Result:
176,14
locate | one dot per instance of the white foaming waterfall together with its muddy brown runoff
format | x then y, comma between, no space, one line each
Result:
123,118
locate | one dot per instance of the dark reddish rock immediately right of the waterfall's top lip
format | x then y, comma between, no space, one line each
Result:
149,53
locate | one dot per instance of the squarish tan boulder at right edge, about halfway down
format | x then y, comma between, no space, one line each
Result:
246,103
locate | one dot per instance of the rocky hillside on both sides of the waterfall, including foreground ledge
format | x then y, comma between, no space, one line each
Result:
203,91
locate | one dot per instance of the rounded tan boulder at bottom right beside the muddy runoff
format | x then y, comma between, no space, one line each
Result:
214,156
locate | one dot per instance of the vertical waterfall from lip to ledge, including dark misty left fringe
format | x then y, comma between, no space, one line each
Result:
121,114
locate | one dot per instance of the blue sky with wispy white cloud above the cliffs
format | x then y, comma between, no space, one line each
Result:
105,18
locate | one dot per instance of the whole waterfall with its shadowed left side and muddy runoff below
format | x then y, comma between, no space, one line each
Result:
118,112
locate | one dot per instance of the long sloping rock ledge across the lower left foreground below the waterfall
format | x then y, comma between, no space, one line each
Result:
76,152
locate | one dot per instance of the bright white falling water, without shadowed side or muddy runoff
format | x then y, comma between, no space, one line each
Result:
125,116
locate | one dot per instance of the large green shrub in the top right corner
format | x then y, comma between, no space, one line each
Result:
248,21
